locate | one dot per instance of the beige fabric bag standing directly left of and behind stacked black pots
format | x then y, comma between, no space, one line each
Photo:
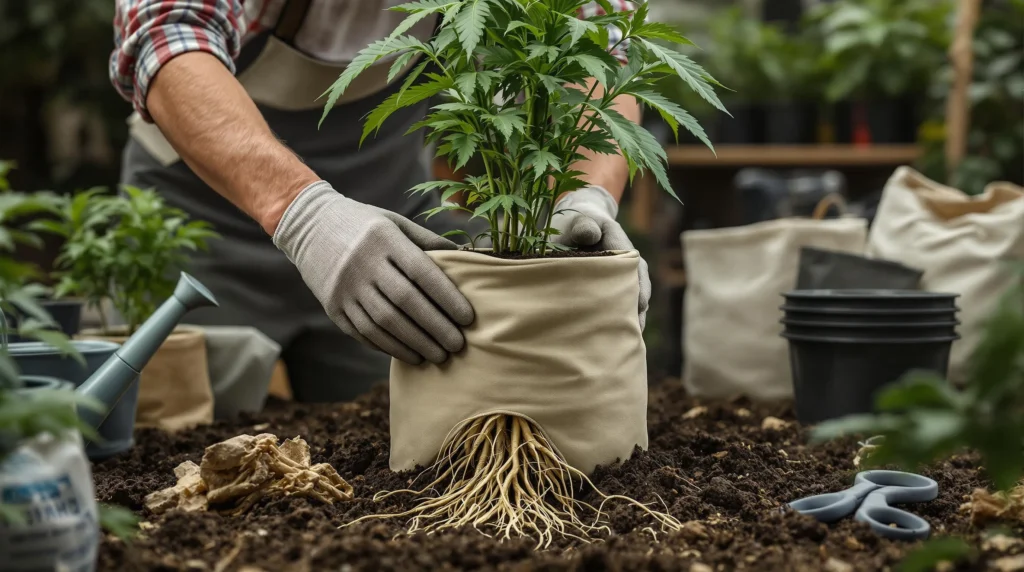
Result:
736,279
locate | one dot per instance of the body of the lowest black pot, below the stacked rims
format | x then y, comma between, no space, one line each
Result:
834,377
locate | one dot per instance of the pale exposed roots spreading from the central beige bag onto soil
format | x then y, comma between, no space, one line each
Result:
500,475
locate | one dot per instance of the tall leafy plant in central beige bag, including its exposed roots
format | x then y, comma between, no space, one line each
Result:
553,379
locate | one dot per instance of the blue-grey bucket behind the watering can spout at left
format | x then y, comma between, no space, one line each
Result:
39,360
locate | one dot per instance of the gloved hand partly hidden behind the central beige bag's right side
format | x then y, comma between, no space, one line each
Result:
586,219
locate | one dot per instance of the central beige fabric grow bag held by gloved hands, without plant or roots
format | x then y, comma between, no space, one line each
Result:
558,341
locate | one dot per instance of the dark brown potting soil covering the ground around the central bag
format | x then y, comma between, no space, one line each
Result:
719,469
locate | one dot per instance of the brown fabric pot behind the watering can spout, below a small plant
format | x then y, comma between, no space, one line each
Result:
175,388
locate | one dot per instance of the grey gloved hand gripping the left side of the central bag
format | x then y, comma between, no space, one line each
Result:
368,269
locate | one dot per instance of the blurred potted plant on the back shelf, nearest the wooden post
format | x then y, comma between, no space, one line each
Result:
881,56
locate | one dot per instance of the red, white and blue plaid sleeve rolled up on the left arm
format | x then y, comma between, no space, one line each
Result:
150,33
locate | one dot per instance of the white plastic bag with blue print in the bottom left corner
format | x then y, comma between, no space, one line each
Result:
49,481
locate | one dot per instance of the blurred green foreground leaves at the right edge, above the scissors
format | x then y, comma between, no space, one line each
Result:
923,418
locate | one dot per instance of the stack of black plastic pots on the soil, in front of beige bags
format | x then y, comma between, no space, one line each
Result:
845,345
